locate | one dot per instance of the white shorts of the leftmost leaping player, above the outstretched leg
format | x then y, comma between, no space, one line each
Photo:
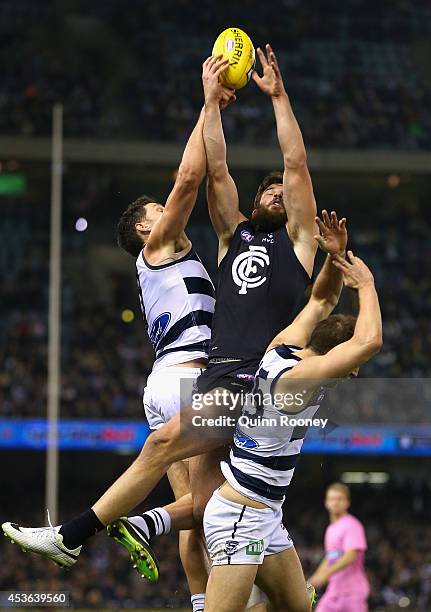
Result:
168,391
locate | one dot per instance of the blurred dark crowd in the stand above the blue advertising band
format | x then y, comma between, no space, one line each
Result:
106,361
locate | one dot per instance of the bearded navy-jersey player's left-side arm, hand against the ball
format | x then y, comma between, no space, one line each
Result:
222,194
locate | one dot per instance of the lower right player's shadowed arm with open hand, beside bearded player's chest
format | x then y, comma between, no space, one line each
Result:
326,288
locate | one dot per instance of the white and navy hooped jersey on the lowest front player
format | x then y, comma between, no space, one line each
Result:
265,450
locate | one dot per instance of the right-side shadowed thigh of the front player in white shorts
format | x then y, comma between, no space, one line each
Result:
282,579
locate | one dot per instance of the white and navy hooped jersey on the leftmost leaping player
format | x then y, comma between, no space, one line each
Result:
177,300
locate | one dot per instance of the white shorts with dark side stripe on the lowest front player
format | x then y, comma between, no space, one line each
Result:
242,535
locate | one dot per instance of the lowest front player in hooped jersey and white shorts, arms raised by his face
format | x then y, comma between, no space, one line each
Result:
246,538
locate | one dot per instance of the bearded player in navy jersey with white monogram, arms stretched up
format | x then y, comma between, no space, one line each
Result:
265,263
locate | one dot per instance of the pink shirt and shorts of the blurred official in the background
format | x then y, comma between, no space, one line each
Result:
348,587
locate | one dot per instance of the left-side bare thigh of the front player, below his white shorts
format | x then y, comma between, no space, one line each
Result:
229,587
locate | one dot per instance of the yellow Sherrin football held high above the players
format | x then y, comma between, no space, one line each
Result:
234,44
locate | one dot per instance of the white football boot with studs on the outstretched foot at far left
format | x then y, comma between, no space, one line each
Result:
45,541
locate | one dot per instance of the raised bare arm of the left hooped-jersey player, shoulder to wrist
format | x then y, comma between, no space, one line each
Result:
182,198
